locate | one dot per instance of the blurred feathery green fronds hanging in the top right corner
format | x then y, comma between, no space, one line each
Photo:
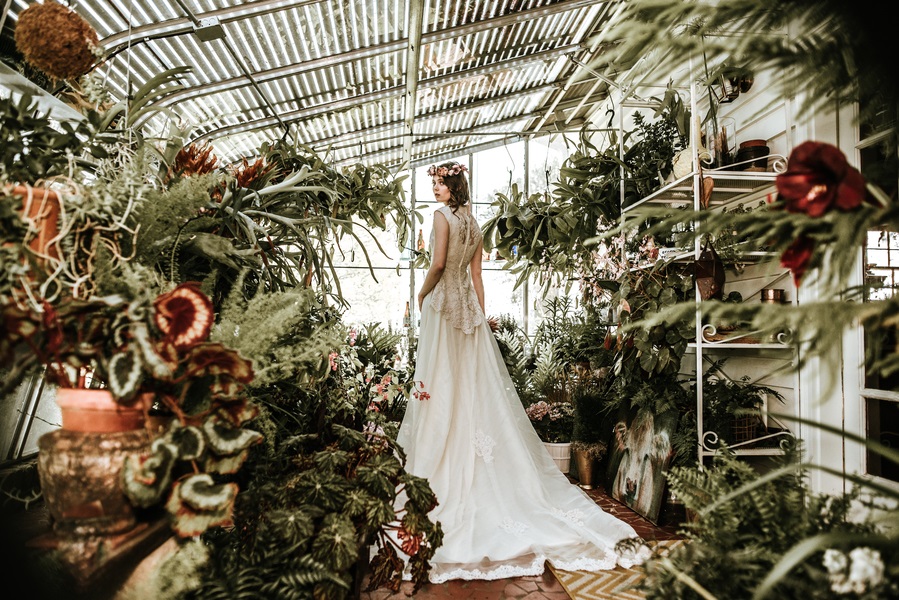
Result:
835,49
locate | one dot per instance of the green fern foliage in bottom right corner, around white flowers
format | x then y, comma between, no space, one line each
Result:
748,524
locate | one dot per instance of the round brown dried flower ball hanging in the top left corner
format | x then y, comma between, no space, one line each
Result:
56,40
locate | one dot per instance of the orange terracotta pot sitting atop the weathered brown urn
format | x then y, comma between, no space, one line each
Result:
96,411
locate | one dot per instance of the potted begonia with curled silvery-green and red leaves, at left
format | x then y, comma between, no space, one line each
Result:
157,346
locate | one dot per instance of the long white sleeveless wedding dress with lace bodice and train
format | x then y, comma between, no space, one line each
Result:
504,505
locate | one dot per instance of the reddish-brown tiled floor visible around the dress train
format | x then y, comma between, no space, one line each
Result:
540,587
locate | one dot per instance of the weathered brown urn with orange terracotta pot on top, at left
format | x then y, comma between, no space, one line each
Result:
80,464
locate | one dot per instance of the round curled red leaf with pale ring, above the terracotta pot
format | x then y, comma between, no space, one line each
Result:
184,315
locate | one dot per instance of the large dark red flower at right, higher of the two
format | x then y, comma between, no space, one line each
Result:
817,179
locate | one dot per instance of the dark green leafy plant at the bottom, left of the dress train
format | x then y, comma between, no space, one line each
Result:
314,504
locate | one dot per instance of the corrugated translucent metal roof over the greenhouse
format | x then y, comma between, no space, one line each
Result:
333,74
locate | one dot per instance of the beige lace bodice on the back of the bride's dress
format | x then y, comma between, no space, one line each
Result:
454,296
